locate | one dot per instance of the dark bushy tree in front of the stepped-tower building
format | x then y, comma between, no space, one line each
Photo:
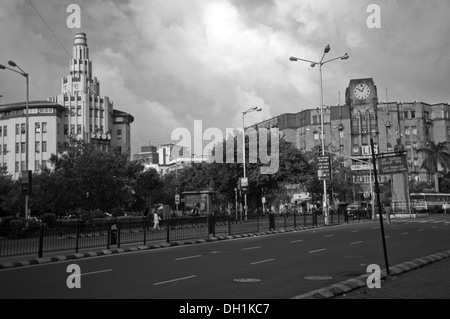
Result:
90,179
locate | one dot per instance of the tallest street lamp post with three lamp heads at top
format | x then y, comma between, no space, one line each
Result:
313,64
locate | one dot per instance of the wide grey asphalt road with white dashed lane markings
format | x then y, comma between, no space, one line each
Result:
277,266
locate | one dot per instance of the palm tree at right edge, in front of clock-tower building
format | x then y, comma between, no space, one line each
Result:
438,159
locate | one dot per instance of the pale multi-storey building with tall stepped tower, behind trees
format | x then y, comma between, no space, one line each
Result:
79,110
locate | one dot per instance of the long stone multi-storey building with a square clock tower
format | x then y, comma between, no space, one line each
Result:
349,128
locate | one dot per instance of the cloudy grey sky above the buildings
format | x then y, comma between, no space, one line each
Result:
170,62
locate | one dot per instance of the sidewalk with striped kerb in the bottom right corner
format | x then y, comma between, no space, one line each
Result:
422,278
